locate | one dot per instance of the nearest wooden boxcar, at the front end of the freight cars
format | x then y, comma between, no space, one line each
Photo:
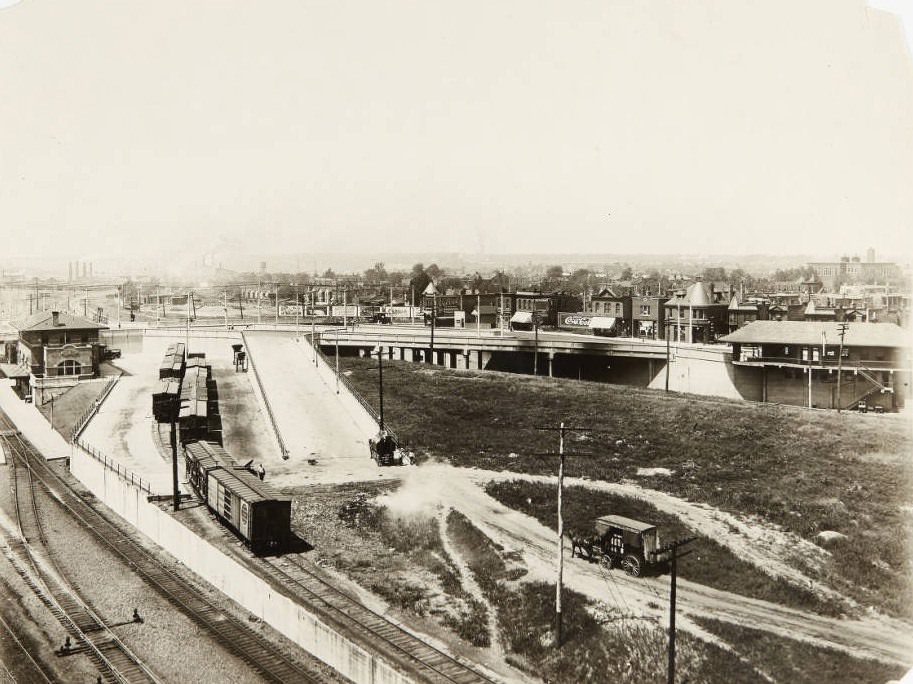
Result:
258,514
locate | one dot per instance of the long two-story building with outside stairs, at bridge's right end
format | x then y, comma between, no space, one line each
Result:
799,362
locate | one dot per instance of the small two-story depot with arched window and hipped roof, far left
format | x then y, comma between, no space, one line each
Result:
59,350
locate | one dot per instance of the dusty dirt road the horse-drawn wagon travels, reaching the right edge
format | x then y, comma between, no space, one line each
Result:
876,637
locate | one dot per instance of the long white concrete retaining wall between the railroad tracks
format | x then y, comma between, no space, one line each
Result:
230,577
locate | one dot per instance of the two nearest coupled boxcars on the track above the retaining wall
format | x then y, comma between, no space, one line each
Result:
253,510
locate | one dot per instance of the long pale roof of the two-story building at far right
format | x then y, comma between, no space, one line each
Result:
809,332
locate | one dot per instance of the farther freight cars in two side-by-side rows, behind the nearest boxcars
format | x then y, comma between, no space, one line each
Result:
188,381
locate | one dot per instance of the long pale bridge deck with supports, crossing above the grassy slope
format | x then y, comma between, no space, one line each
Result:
473,344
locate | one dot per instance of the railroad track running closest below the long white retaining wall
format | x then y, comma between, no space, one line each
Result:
260,655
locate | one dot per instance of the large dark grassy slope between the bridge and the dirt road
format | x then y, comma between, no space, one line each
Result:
807,471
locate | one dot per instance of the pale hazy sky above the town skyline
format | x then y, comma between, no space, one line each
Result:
128,129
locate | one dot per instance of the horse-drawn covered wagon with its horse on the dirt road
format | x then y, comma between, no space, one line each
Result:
629,543
